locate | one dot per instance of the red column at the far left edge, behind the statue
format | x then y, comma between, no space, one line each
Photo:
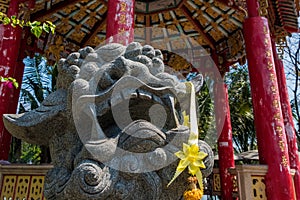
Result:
9,47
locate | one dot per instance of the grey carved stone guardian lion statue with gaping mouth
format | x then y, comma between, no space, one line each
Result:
112,126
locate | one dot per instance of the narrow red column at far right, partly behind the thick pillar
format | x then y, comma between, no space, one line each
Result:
288,120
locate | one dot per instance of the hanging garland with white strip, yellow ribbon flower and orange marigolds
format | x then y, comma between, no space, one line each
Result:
190,157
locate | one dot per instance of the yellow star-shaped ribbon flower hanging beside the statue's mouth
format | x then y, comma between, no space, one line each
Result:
192,158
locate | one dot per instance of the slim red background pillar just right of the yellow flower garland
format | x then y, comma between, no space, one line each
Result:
225,148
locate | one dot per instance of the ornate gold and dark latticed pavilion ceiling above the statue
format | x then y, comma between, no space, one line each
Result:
212,24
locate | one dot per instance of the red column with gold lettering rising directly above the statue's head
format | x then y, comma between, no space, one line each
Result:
120,21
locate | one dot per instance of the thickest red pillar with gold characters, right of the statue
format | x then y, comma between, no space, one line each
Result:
272,144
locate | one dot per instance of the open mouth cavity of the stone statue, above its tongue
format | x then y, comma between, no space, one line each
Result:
127,101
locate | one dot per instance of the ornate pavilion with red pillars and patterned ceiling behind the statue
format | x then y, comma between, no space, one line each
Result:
228,31
